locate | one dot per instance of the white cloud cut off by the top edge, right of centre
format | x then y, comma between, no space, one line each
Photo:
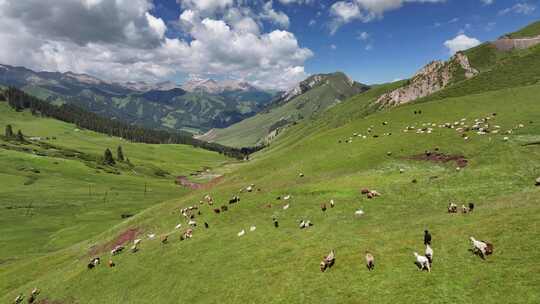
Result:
343,12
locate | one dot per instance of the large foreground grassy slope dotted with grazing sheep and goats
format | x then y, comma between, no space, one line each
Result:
281,265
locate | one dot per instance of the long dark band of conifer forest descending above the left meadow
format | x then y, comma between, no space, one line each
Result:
19,100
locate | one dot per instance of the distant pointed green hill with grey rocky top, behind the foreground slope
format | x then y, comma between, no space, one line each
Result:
249,131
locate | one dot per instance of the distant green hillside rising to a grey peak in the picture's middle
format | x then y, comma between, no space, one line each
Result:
333,89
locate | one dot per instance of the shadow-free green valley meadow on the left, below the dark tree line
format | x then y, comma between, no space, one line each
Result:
70,200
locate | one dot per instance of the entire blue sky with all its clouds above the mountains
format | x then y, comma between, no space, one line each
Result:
272,44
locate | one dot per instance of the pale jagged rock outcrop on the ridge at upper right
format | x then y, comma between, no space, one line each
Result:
433,77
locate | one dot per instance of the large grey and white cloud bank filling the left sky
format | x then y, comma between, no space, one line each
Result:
122,40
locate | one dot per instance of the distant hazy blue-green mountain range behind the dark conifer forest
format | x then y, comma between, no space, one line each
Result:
196,106
